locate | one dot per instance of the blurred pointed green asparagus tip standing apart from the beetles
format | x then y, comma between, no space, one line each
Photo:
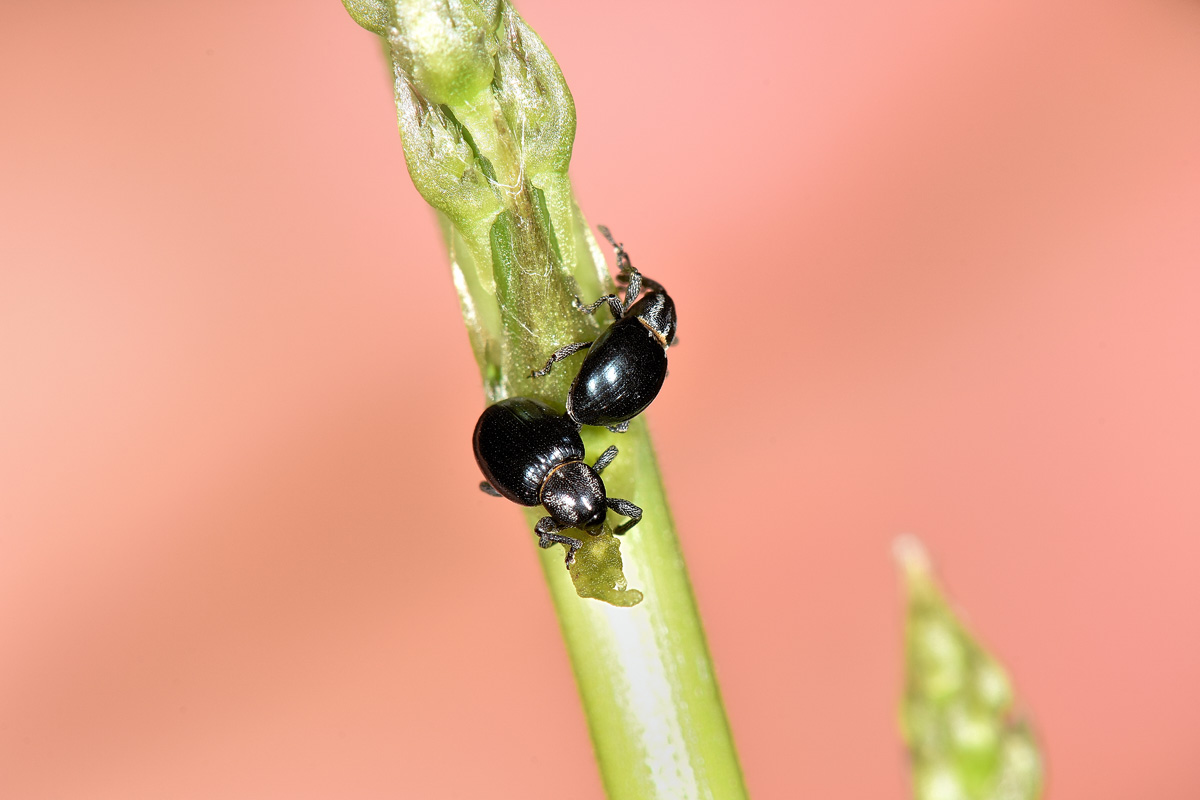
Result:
958,719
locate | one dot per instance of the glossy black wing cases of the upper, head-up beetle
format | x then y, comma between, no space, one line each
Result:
621,376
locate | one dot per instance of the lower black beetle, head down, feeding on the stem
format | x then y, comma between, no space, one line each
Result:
535,456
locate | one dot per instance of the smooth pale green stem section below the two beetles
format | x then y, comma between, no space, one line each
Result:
645,675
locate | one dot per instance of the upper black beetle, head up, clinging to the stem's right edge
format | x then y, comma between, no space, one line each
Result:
627,364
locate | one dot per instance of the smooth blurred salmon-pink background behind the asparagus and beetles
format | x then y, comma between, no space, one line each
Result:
939,269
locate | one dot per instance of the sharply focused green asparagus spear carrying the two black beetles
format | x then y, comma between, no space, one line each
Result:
488,127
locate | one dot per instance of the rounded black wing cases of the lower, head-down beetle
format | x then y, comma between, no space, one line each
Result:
518,442
